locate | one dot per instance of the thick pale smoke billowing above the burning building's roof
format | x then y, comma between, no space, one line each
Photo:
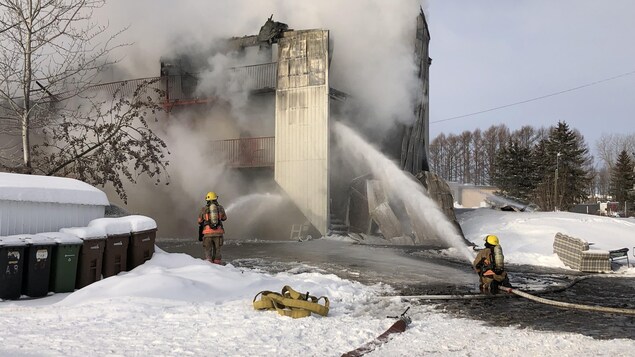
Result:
372,41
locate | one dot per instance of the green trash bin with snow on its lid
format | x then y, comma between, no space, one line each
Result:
64,261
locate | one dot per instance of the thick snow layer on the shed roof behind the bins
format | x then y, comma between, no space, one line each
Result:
35,188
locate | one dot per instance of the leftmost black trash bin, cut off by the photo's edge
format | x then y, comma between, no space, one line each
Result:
11,264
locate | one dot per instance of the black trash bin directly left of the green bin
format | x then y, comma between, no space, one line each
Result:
37,265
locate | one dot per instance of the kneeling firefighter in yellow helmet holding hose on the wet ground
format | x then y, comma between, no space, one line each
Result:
489,264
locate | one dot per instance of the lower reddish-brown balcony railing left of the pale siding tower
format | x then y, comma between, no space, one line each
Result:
246,152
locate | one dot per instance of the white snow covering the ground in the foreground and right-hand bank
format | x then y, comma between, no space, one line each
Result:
175,305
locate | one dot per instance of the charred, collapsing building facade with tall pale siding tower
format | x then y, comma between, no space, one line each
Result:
289,71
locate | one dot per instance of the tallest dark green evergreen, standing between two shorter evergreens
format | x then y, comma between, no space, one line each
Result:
566,159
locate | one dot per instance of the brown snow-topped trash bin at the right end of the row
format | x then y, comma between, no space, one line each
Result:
144,232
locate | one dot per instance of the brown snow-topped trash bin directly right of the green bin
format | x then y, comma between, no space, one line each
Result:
91,254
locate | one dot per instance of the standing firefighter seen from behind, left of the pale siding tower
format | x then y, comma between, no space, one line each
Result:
210,231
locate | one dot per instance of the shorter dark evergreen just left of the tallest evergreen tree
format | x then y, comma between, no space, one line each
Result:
516,174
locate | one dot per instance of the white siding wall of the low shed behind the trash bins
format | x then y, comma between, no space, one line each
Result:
17,217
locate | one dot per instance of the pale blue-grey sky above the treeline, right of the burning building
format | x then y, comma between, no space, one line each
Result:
491,53
